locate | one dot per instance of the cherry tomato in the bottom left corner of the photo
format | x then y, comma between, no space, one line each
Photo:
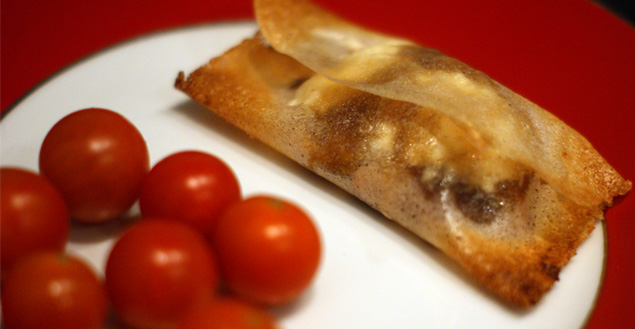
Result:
52,290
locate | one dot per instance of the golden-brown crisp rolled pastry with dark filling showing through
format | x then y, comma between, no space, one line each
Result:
497,183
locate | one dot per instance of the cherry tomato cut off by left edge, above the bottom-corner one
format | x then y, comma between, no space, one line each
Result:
33,216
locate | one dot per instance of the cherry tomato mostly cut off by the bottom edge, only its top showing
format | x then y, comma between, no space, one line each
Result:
227,313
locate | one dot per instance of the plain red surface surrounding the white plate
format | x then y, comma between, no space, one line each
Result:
569,56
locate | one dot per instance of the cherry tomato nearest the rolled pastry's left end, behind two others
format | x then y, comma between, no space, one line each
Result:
190,186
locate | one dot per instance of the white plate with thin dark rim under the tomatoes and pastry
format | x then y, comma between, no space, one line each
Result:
373,273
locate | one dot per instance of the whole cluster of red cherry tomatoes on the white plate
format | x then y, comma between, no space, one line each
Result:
200,256
